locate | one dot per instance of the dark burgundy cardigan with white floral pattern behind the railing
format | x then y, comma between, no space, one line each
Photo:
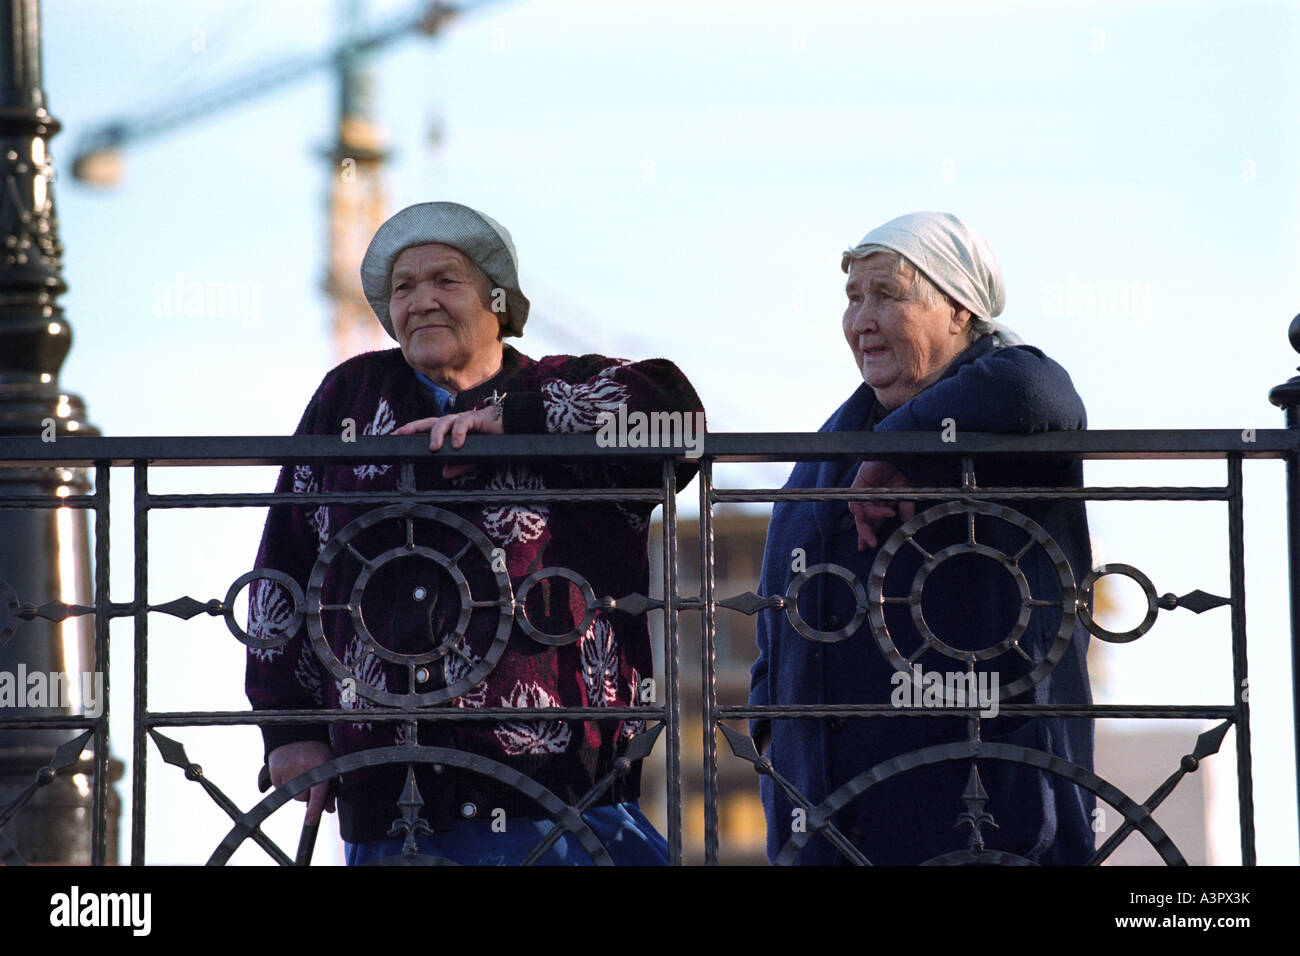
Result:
414,605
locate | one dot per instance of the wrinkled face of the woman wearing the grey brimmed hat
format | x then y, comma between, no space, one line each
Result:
440,310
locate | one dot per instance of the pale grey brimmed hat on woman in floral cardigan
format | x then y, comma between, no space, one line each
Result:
486,241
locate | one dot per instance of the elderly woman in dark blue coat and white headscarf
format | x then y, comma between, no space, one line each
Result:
922,293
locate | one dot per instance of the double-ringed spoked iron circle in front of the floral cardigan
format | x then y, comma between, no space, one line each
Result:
450,565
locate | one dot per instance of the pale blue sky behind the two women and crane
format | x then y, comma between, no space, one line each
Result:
681,180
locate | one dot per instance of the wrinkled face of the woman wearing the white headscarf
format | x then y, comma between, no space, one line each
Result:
900,344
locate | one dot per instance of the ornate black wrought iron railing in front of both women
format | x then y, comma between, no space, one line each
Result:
664,720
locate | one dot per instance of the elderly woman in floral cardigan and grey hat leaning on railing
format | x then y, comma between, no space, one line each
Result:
443,279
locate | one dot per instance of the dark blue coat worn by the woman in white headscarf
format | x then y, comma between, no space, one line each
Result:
969,603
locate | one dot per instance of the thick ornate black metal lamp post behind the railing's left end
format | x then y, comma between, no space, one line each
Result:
45,556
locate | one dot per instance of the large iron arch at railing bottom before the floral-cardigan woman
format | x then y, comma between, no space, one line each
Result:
439,756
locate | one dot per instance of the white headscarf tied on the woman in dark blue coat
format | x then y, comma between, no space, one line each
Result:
951,256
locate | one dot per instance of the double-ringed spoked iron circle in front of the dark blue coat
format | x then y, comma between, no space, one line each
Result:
905,535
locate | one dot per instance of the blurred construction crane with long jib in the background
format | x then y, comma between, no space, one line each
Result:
357,201
